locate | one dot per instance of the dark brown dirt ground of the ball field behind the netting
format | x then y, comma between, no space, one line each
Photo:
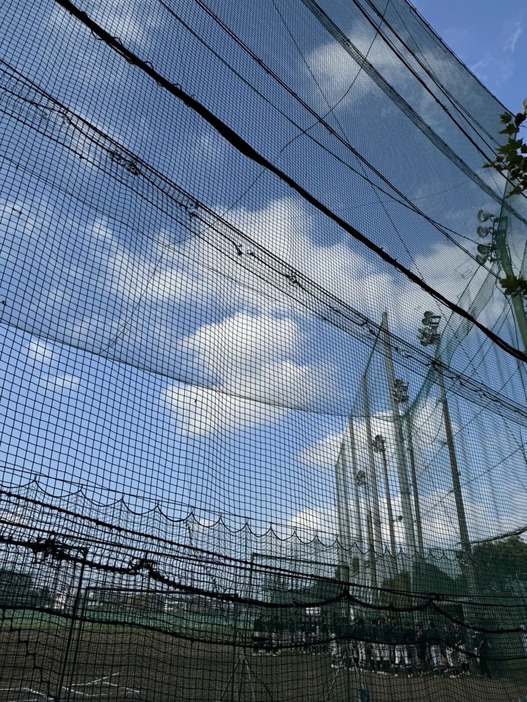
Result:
152,667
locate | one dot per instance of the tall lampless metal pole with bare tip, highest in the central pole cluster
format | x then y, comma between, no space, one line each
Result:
406,500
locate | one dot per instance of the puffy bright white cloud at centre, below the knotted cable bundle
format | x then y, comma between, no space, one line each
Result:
251,363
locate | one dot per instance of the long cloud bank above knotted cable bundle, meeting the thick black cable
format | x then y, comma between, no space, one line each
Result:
285,228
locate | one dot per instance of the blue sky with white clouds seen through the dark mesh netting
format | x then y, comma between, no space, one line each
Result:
140,359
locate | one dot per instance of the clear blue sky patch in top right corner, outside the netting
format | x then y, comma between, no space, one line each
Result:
490,37
